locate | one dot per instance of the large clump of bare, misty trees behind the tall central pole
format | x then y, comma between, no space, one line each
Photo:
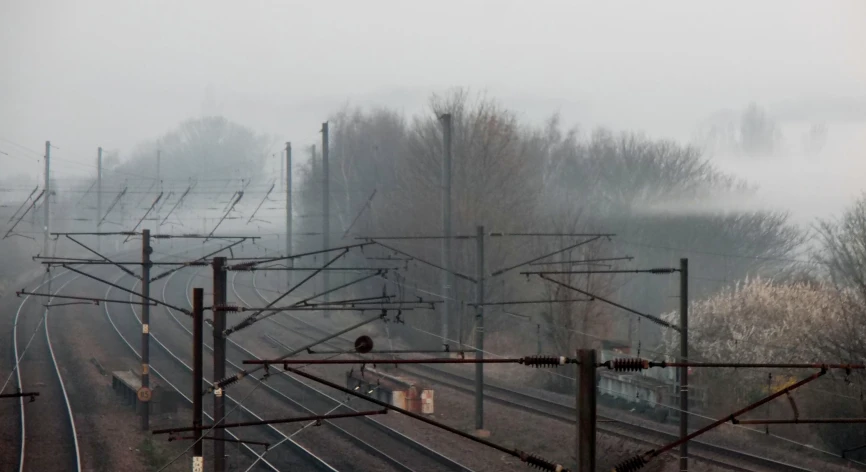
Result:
509,175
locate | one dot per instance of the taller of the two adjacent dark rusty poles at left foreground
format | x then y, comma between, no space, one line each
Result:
219,358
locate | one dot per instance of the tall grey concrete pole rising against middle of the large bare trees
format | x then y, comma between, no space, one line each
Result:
447,275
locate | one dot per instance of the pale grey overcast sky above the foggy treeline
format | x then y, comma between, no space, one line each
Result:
112,73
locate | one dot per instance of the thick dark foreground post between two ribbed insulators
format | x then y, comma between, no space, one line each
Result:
586,410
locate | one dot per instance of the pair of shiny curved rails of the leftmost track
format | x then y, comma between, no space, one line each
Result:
17,367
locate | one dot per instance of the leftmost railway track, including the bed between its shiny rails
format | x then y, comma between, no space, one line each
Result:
48,437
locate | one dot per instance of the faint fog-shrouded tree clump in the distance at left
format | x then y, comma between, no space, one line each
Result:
210,148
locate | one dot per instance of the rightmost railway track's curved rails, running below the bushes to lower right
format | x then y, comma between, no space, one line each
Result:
545,407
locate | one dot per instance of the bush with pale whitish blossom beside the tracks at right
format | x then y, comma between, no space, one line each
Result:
762,321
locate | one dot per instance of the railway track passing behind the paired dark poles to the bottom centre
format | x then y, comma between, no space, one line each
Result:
398,450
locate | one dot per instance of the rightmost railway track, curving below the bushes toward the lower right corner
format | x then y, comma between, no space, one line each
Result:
700,450
